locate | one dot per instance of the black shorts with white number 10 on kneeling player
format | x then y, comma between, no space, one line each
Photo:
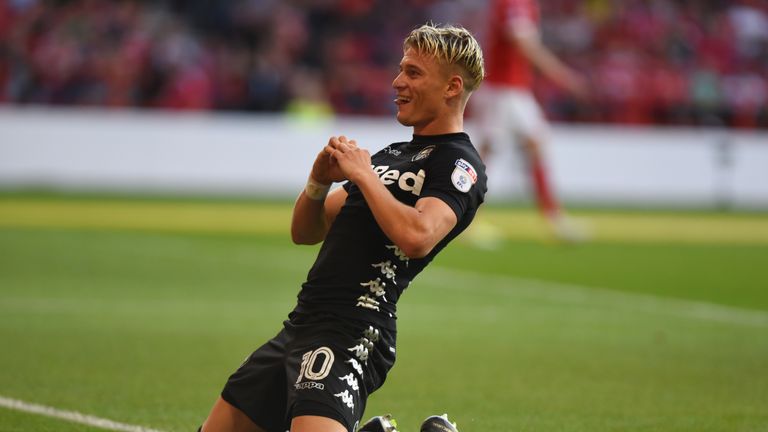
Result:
319,365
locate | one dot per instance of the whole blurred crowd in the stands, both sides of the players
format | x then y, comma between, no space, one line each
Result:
679,62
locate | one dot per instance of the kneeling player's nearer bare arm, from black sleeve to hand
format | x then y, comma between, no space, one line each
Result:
415,230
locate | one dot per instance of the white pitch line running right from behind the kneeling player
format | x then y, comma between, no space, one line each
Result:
578,294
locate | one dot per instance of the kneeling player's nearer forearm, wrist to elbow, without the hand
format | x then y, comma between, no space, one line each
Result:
401,223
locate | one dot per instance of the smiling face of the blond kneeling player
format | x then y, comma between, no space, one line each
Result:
420,88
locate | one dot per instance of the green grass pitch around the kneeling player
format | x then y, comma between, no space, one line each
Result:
136,310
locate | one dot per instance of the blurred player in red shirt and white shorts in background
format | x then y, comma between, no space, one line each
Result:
506,109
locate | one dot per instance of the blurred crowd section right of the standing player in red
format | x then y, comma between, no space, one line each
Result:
663,61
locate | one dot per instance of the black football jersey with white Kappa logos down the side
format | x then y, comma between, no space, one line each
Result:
359,272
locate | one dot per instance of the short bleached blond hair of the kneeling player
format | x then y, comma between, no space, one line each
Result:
450,45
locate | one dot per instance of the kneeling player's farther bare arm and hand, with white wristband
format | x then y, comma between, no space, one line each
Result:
313,216
